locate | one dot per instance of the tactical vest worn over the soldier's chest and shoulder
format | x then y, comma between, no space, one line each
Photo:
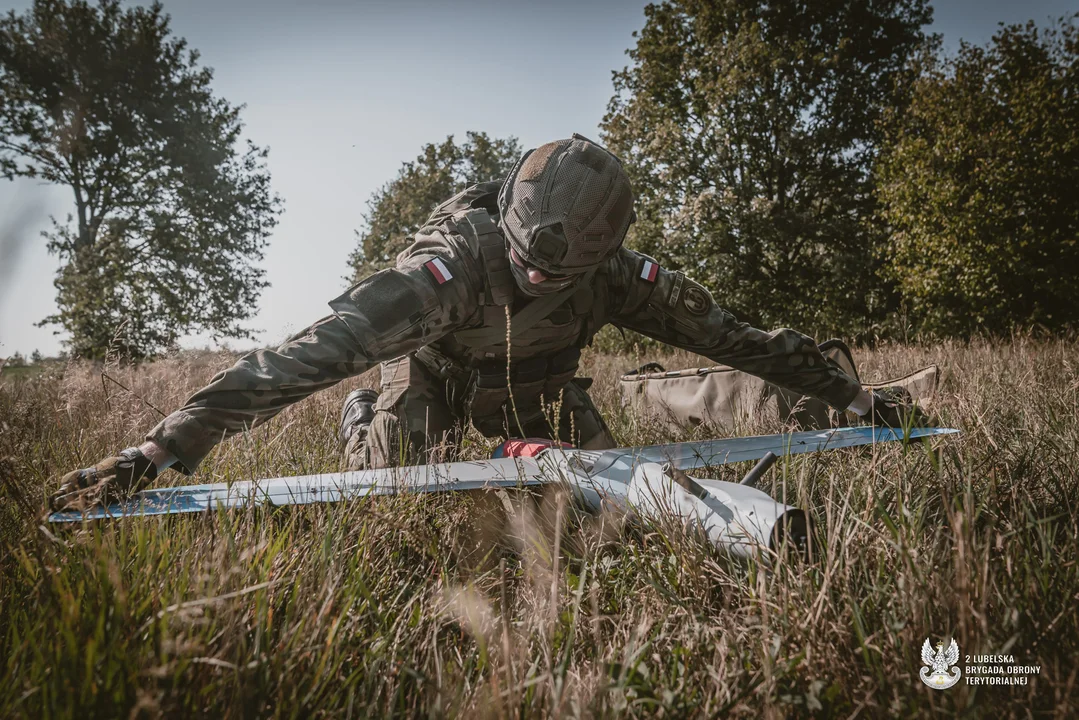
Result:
547,335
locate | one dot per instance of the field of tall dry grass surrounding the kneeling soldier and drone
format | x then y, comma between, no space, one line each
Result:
444,606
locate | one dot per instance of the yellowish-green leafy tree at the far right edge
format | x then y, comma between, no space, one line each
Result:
978,182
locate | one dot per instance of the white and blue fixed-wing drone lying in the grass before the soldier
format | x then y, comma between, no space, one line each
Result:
650,482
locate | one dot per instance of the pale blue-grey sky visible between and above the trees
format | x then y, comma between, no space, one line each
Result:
344,92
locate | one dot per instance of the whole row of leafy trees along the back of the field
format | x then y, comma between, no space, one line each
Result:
826,166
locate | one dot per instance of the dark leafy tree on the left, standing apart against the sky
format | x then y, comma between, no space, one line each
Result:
171,209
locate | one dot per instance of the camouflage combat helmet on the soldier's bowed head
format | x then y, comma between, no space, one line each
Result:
566,207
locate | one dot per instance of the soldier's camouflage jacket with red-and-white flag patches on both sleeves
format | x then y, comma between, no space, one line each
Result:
448,298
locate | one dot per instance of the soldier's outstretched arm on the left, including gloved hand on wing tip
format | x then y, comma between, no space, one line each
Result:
387,316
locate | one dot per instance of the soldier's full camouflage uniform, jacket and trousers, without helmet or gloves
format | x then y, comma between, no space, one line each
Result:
438,324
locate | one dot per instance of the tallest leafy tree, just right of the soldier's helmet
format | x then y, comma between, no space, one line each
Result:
750,131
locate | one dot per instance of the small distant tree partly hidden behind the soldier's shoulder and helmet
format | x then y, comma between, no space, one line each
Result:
399,209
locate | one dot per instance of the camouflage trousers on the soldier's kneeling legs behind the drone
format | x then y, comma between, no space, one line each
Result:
417,422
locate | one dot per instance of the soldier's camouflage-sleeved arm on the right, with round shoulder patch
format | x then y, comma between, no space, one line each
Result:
674,309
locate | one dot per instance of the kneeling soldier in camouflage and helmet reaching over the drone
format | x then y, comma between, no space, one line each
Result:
484,319
